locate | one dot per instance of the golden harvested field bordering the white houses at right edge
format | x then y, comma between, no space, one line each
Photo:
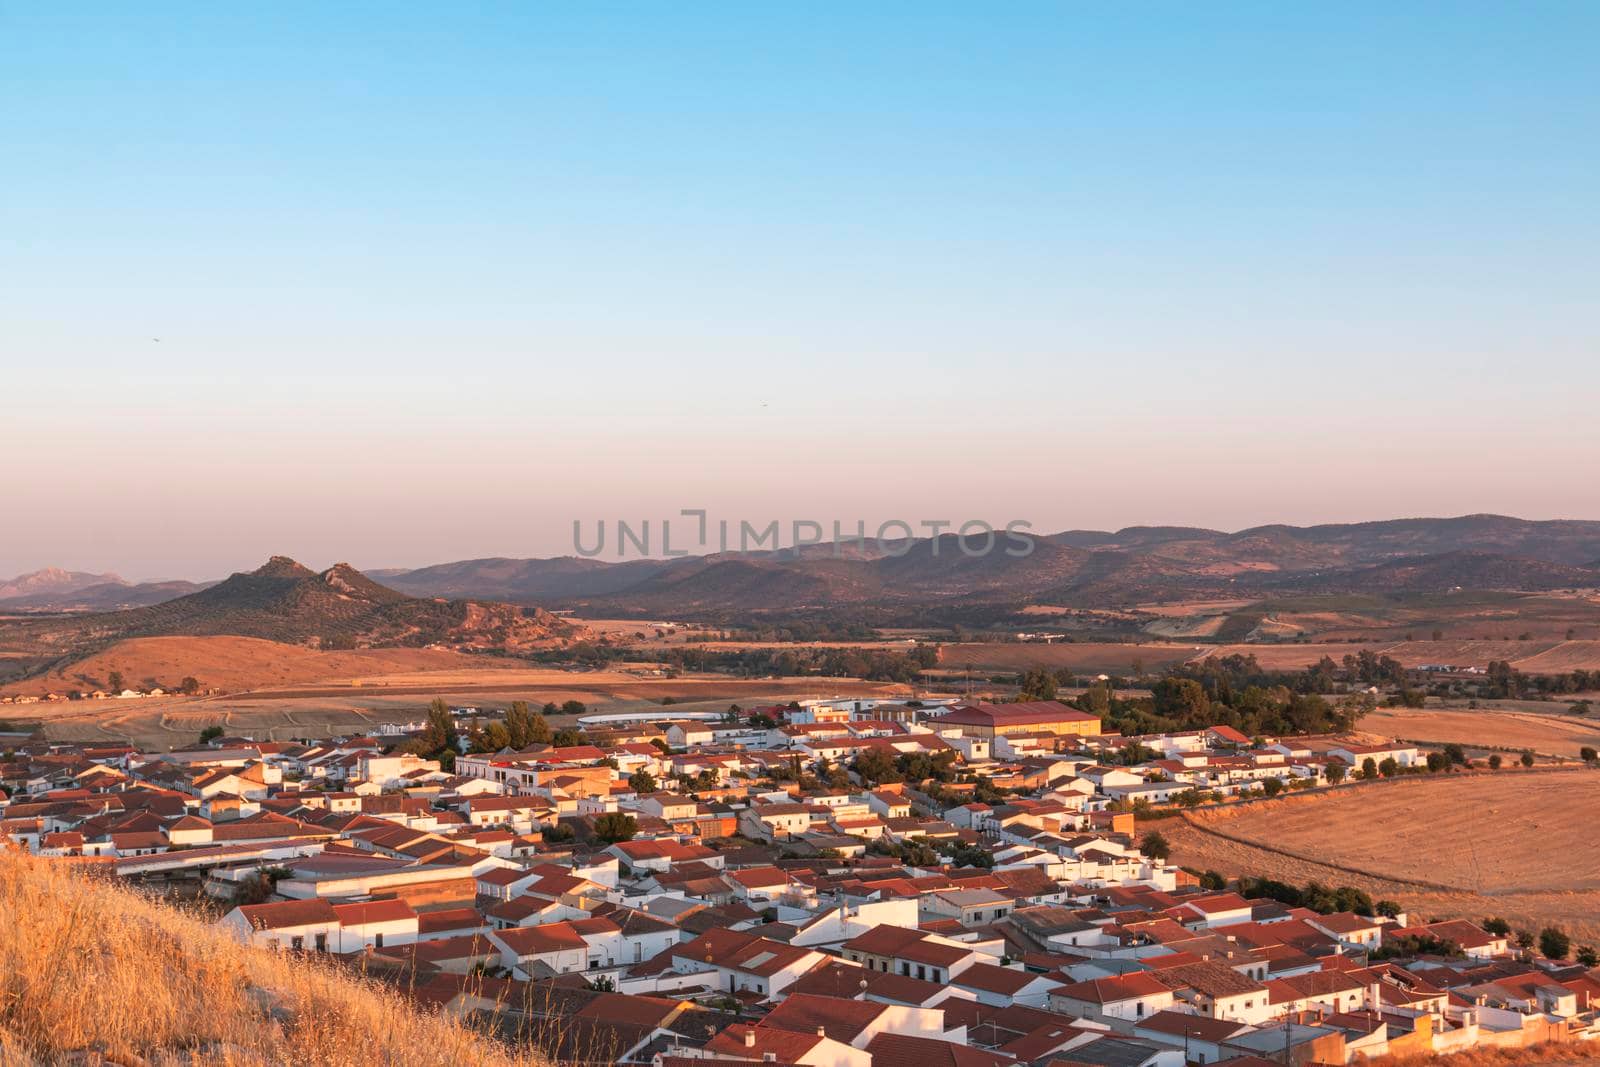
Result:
1514,844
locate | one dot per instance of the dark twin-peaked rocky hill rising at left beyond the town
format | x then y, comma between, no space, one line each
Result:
292,604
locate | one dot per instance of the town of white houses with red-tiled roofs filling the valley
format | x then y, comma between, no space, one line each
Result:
828,882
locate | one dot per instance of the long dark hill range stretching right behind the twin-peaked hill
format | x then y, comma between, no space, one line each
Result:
1081,569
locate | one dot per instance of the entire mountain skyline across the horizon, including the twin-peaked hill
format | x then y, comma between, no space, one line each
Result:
1078,569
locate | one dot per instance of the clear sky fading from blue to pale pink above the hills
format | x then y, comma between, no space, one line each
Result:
402,284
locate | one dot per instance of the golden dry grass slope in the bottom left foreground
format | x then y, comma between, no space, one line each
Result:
92,967
